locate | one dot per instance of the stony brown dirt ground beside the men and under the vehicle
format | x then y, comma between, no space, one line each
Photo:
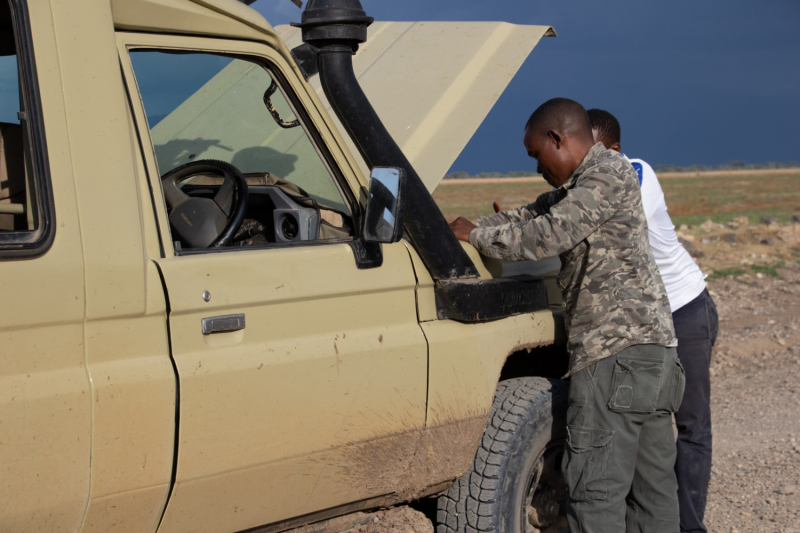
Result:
755,403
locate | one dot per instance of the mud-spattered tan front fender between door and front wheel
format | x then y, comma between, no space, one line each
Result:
464,365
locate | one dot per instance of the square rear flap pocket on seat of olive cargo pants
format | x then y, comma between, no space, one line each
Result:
636,385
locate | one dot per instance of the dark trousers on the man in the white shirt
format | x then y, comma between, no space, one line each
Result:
696,326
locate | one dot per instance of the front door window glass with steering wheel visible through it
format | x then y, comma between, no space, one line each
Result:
204,107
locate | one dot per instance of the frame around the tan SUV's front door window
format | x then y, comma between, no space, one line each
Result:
272,63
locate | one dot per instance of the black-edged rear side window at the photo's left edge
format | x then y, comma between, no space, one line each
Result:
24,214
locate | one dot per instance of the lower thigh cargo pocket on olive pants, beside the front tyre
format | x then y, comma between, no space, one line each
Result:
586,462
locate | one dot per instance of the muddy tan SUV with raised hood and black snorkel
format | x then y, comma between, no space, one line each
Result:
212,321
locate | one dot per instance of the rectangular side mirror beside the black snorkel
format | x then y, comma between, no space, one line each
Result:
384,218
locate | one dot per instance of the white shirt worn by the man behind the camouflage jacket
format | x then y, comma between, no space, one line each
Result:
682,277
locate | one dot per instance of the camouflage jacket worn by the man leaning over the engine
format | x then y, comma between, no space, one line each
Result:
613,293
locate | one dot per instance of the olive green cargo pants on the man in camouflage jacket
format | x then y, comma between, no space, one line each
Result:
620,453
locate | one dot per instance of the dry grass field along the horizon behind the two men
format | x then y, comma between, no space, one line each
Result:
691,200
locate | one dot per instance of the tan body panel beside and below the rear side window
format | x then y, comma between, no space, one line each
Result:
46,406
